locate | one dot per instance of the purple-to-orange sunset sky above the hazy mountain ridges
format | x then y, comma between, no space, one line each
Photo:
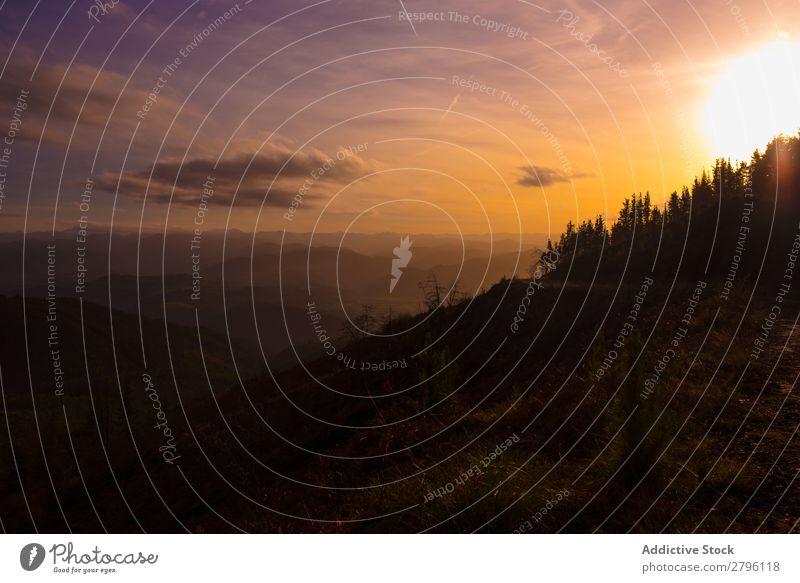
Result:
370,116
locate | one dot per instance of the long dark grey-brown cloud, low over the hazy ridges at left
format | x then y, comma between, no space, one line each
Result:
248,177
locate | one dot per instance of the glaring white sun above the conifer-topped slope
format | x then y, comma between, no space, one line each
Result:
755,99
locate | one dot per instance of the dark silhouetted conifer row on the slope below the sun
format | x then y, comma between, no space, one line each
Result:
752,207
